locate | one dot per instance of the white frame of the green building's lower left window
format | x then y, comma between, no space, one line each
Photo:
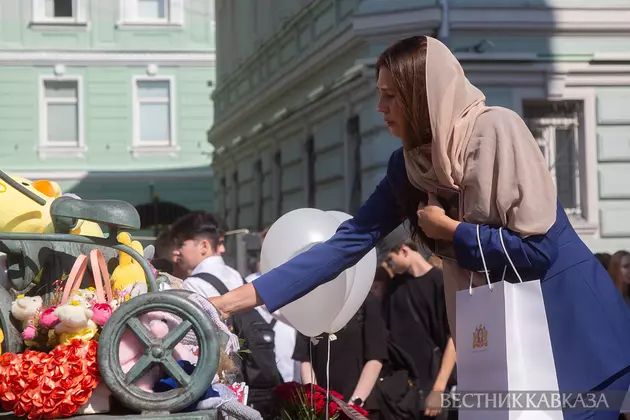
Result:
61,147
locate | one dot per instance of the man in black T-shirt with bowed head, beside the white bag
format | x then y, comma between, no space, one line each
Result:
415,313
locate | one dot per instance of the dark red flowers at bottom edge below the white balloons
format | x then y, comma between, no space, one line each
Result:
308,402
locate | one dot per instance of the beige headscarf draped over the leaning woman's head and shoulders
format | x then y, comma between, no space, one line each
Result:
488,153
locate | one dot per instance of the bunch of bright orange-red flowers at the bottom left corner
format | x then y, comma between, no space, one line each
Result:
49,385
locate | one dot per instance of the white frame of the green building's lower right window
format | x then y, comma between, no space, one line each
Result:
137,143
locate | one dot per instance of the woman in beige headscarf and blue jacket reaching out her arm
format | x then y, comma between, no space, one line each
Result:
452,139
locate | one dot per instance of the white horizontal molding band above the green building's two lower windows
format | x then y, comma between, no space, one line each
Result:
108,58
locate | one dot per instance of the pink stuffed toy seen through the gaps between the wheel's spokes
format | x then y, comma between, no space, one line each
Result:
159,324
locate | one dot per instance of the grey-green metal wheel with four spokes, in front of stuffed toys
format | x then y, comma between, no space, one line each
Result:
158,352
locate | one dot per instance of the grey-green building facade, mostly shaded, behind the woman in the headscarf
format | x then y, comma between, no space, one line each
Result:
295,103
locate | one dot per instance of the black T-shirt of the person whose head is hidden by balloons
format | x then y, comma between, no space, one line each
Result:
362,340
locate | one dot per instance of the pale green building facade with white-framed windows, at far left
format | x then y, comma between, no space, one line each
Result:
110,98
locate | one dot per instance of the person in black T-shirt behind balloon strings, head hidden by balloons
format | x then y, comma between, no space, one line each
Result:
356,356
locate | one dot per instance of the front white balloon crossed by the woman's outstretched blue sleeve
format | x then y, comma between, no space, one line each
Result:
292,234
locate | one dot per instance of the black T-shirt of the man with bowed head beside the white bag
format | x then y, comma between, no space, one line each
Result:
415,312
